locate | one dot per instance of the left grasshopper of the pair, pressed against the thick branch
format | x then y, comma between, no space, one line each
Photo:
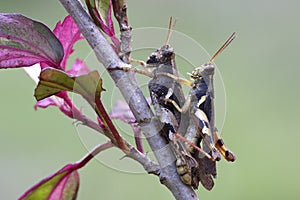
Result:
175,122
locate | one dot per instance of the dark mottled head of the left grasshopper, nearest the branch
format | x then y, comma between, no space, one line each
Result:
163,55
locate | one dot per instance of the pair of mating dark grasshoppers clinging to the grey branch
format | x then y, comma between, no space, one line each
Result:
187,122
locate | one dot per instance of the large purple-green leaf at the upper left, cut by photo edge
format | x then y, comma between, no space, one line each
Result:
24,42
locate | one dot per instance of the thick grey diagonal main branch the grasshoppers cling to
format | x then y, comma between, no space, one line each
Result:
133,96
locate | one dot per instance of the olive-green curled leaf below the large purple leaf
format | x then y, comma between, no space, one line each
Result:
53,81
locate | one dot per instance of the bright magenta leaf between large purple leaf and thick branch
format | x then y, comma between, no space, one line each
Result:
68,33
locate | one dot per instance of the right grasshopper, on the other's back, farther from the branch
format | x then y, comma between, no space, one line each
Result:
200,104
